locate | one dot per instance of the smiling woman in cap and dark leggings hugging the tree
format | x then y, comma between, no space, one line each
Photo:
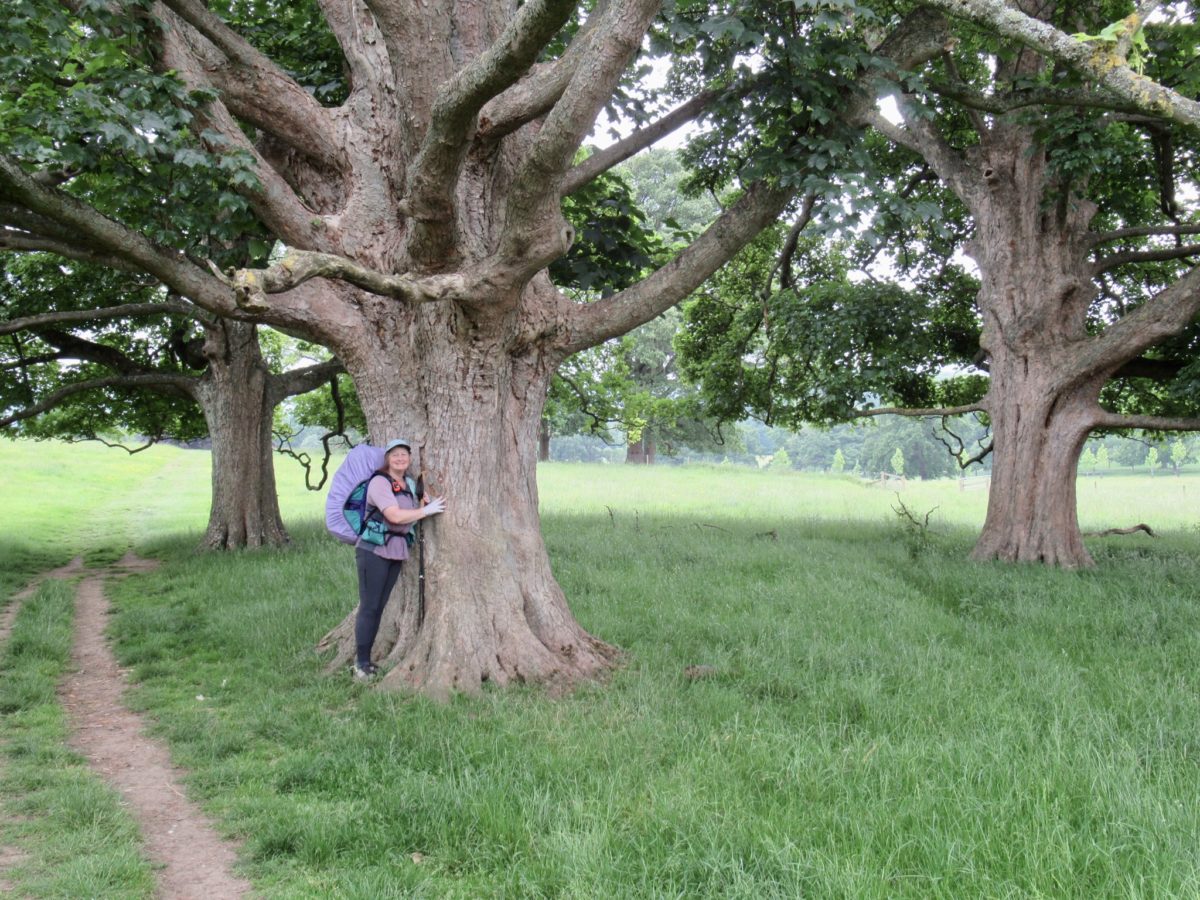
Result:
379,565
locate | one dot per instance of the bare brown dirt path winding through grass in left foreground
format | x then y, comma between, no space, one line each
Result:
196,862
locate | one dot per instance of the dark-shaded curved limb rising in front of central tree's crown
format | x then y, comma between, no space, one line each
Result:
435,172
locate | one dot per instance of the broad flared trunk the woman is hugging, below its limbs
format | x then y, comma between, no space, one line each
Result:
494,613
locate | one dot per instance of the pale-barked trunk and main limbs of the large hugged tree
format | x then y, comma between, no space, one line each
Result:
419,241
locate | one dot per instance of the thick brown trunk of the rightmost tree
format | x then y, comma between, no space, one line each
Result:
1036,289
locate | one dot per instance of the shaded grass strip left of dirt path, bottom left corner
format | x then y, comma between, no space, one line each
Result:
76,839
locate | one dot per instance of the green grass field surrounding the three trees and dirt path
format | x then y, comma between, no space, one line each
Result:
886,719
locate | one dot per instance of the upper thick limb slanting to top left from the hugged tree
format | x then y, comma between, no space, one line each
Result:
260,92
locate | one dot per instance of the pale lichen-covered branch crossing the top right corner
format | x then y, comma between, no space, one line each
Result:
1097,61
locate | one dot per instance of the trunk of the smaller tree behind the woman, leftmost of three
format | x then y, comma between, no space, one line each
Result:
238,410
